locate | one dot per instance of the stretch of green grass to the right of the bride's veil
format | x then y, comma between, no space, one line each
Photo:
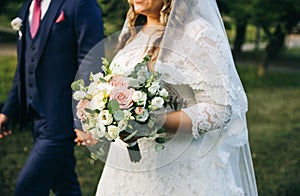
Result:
274,125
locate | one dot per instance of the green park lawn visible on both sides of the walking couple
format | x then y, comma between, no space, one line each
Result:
273,122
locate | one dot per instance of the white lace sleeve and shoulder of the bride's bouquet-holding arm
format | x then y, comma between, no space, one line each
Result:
205,67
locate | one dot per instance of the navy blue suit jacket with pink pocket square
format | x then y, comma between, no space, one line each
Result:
61,47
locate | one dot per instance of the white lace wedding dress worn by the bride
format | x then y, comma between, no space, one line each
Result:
210,160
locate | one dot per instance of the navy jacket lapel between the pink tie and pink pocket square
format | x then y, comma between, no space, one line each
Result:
49,19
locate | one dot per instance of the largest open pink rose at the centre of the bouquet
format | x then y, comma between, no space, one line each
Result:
123,96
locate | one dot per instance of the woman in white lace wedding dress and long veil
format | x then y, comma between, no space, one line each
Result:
209,152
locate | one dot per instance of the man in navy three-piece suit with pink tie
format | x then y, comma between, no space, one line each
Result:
54,38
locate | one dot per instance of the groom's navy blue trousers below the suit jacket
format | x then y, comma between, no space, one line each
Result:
51,165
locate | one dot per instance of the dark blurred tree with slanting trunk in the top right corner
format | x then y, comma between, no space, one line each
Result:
279,20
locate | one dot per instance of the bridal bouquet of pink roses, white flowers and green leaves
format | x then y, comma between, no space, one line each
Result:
125,106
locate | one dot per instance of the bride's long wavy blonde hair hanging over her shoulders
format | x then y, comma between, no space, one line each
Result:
135,21
